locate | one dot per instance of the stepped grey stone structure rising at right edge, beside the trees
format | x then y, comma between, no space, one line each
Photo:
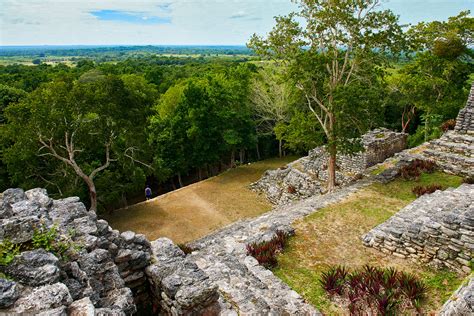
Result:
454,151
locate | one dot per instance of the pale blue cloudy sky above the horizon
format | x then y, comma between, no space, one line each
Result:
169,22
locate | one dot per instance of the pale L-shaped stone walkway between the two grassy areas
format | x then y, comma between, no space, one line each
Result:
245,287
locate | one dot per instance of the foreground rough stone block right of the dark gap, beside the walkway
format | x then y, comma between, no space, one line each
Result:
178,285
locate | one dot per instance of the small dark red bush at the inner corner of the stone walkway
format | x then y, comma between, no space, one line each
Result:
266,251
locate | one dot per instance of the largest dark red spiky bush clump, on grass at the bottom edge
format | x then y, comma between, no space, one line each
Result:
374,291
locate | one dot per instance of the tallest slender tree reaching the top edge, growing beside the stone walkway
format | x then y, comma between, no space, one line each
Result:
338,42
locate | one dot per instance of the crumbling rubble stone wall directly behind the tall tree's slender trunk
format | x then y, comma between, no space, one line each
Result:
307,176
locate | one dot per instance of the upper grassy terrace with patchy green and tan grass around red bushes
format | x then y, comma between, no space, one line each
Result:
332,236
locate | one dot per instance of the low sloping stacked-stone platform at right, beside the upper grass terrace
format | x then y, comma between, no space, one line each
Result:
437,228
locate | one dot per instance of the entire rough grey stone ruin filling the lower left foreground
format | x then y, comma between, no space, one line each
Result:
108,274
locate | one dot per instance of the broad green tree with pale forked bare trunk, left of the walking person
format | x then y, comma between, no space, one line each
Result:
79,126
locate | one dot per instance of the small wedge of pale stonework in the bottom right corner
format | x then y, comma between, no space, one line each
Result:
461,302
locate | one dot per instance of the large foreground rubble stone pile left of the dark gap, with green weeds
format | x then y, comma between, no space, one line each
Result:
45,284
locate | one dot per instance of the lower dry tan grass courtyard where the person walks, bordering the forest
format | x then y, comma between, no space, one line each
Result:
200,208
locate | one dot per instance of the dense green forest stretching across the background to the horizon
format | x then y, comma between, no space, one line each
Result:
103,129
